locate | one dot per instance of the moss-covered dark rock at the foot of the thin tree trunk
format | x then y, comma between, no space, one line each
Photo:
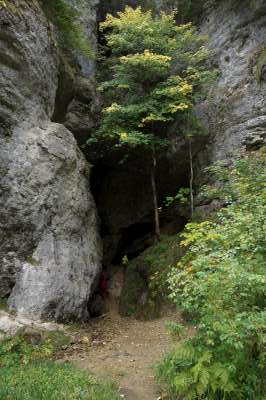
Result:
145,287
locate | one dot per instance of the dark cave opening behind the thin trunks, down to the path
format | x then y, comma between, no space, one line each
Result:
134,232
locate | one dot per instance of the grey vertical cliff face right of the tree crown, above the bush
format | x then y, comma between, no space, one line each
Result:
235,112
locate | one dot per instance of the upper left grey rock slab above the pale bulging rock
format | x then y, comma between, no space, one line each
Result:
28,65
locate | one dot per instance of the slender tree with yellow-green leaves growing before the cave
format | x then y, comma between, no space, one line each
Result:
152,74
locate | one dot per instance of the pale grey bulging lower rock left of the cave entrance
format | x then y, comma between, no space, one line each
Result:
51,203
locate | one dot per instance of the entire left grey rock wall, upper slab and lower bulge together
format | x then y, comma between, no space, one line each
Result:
50,252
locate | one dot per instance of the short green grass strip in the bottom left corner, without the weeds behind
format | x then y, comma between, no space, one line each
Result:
48,380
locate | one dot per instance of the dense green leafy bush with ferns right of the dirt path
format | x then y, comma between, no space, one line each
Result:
221,282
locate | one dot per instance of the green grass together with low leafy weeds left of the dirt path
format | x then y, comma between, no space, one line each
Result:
27,371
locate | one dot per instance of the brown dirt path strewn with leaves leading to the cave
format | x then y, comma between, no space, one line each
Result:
124,350
